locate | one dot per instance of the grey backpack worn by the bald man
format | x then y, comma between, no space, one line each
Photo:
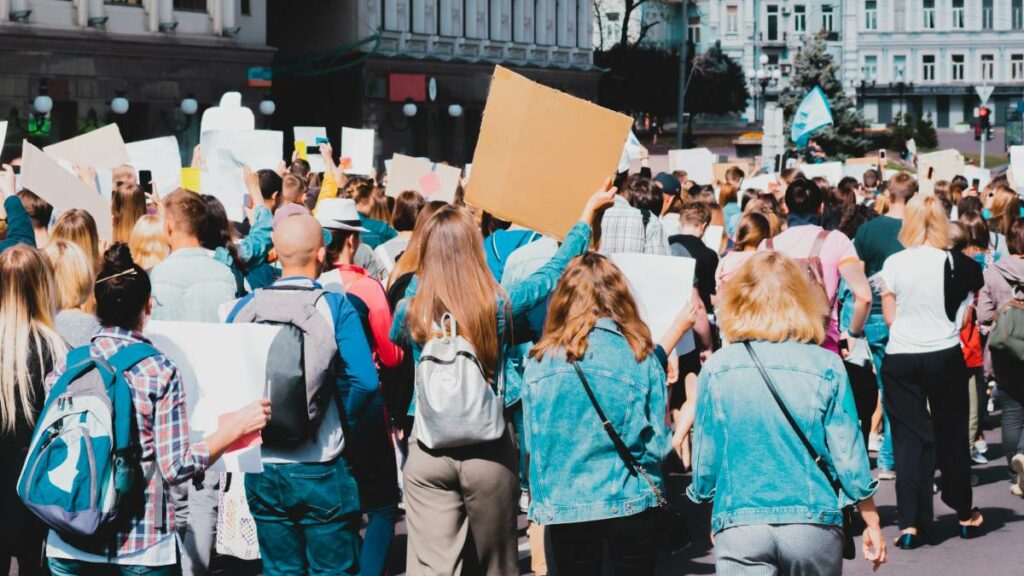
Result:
304,363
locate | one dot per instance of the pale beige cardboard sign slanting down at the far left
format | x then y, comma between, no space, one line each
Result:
44,176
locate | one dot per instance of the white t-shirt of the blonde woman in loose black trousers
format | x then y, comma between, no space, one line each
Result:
917,277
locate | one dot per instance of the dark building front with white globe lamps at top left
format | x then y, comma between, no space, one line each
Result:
154,54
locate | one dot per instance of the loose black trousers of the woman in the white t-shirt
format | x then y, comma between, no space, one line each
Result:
915,383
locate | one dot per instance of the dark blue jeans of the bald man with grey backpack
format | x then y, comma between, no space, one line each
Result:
308,518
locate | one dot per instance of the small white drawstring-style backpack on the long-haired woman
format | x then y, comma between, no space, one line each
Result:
455,403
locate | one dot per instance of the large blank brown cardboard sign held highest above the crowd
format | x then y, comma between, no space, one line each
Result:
542,154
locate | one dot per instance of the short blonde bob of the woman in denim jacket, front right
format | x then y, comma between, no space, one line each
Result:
771,298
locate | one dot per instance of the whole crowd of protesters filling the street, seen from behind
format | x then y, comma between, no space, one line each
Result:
459,371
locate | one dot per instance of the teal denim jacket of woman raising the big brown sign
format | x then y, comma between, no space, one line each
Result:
522,298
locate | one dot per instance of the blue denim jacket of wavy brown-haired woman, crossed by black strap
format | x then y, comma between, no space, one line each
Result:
576,475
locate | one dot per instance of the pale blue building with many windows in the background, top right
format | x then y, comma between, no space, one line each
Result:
920,57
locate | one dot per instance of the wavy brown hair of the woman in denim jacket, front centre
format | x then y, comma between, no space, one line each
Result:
591,289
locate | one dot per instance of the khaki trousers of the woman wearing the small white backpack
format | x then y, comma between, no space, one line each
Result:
458,496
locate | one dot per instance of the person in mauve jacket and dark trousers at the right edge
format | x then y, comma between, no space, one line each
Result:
1004,283
